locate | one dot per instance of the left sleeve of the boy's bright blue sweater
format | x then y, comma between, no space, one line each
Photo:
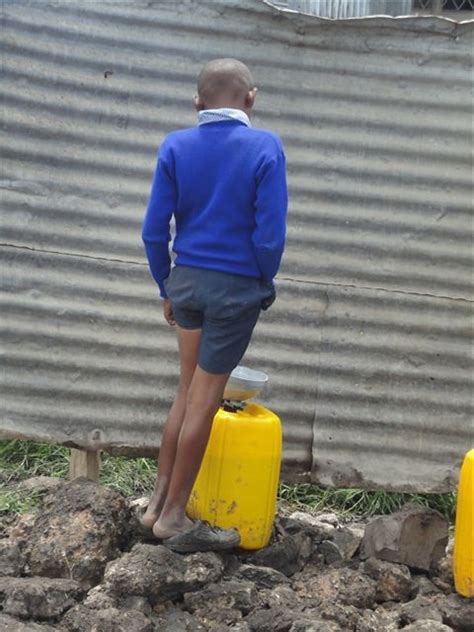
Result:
156,226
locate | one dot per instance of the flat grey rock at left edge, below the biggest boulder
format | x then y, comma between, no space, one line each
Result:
38,597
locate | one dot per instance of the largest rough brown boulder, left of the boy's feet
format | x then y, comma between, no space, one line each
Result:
80,528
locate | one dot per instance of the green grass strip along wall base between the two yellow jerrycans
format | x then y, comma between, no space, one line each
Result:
362,502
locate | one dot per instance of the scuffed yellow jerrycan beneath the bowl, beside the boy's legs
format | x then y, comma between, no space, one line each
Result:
237,483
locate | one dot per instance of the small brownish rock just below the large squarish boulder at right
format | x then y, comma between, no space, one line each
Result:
394,581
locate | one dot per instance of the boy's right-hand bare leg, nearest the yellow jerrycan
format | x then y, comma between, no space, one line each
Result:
204,398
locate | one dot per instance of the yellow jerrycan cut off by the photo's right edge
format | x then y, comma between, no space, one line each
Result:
463,556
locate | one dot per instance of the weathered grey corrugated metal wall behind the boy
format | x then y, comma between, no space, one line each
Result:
368,346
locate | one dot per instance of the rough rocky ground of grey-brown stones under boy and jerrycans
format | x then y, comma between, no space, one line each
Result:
82,564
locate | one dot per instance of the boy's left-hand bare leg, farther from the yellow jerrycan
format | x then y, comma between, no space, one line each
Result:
188,343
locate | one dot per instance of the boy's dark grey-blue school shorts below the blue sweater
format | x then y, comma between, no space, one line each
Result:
224,306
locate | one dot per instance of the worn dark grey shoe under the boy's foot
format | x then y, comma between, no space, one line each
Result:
203,537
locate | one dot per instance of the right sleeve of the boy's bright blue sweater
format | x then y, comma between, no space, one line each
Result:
270,217
